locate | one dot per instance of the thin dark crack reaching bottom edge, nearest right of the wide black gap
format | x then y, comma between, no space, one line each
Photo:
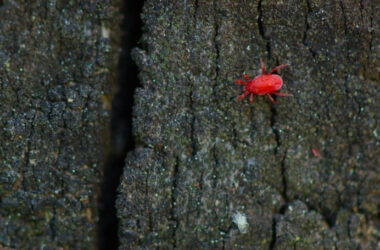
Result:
173,200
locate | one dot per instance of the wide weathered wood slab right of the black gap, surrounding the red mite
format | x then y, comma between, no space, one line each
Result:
205,160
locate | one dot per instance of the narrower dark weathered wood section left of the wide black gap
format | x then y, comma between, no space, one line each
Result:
55,64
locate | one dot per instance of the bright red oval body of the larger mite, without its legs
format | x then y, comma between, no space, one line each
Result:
264,84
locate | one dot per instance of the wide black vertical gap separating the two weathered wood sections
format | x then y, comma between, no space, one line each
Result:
121,126
